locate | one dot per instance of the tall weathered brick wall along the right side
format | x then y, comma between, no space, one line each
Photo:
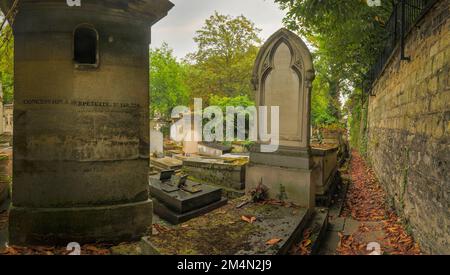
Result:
409,122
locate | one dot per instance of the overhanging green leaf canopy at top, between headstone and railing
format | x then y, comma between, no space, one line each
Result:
347,34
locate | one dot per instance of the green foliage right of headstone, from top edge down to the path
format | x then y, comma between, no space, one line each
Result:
348,36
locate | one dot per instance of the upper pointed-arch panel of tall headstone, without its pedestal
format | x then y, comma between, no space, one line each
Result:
288,87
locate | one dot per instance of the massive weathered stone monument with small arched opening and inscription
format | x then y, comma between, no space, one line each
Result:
81,120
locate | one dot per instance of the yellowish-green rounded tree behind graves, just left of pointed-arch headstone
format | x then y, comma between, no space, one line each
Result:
223,63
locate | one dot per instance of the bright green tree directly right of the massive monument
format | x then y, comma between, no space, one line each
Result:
168,87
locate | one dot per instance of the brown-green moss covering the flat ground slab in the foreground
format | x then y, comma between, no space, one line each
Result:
223,232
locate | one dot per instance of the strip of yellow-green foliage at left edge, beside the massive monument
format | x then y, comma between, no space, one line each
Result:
7,63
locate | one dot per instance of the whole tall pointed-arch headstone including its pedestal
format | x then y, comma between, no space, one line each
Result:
283,76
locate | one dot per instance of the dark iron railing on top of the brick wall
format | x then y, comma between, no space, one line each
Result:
405,15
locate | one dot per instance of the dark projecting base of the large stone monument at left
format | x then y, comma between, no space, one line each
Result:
84,225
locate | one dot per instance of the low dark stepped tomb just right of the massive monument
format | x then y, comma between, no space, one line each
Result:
180,206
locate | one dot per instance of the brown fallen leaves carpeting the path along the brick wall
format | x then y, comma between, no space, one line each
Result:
365,202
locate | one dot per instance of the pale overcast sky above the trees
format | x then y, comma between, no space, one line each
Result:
178,28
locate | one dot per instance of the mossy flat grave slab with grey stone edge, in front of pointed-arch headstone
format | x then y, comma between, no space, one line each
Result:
224,232
